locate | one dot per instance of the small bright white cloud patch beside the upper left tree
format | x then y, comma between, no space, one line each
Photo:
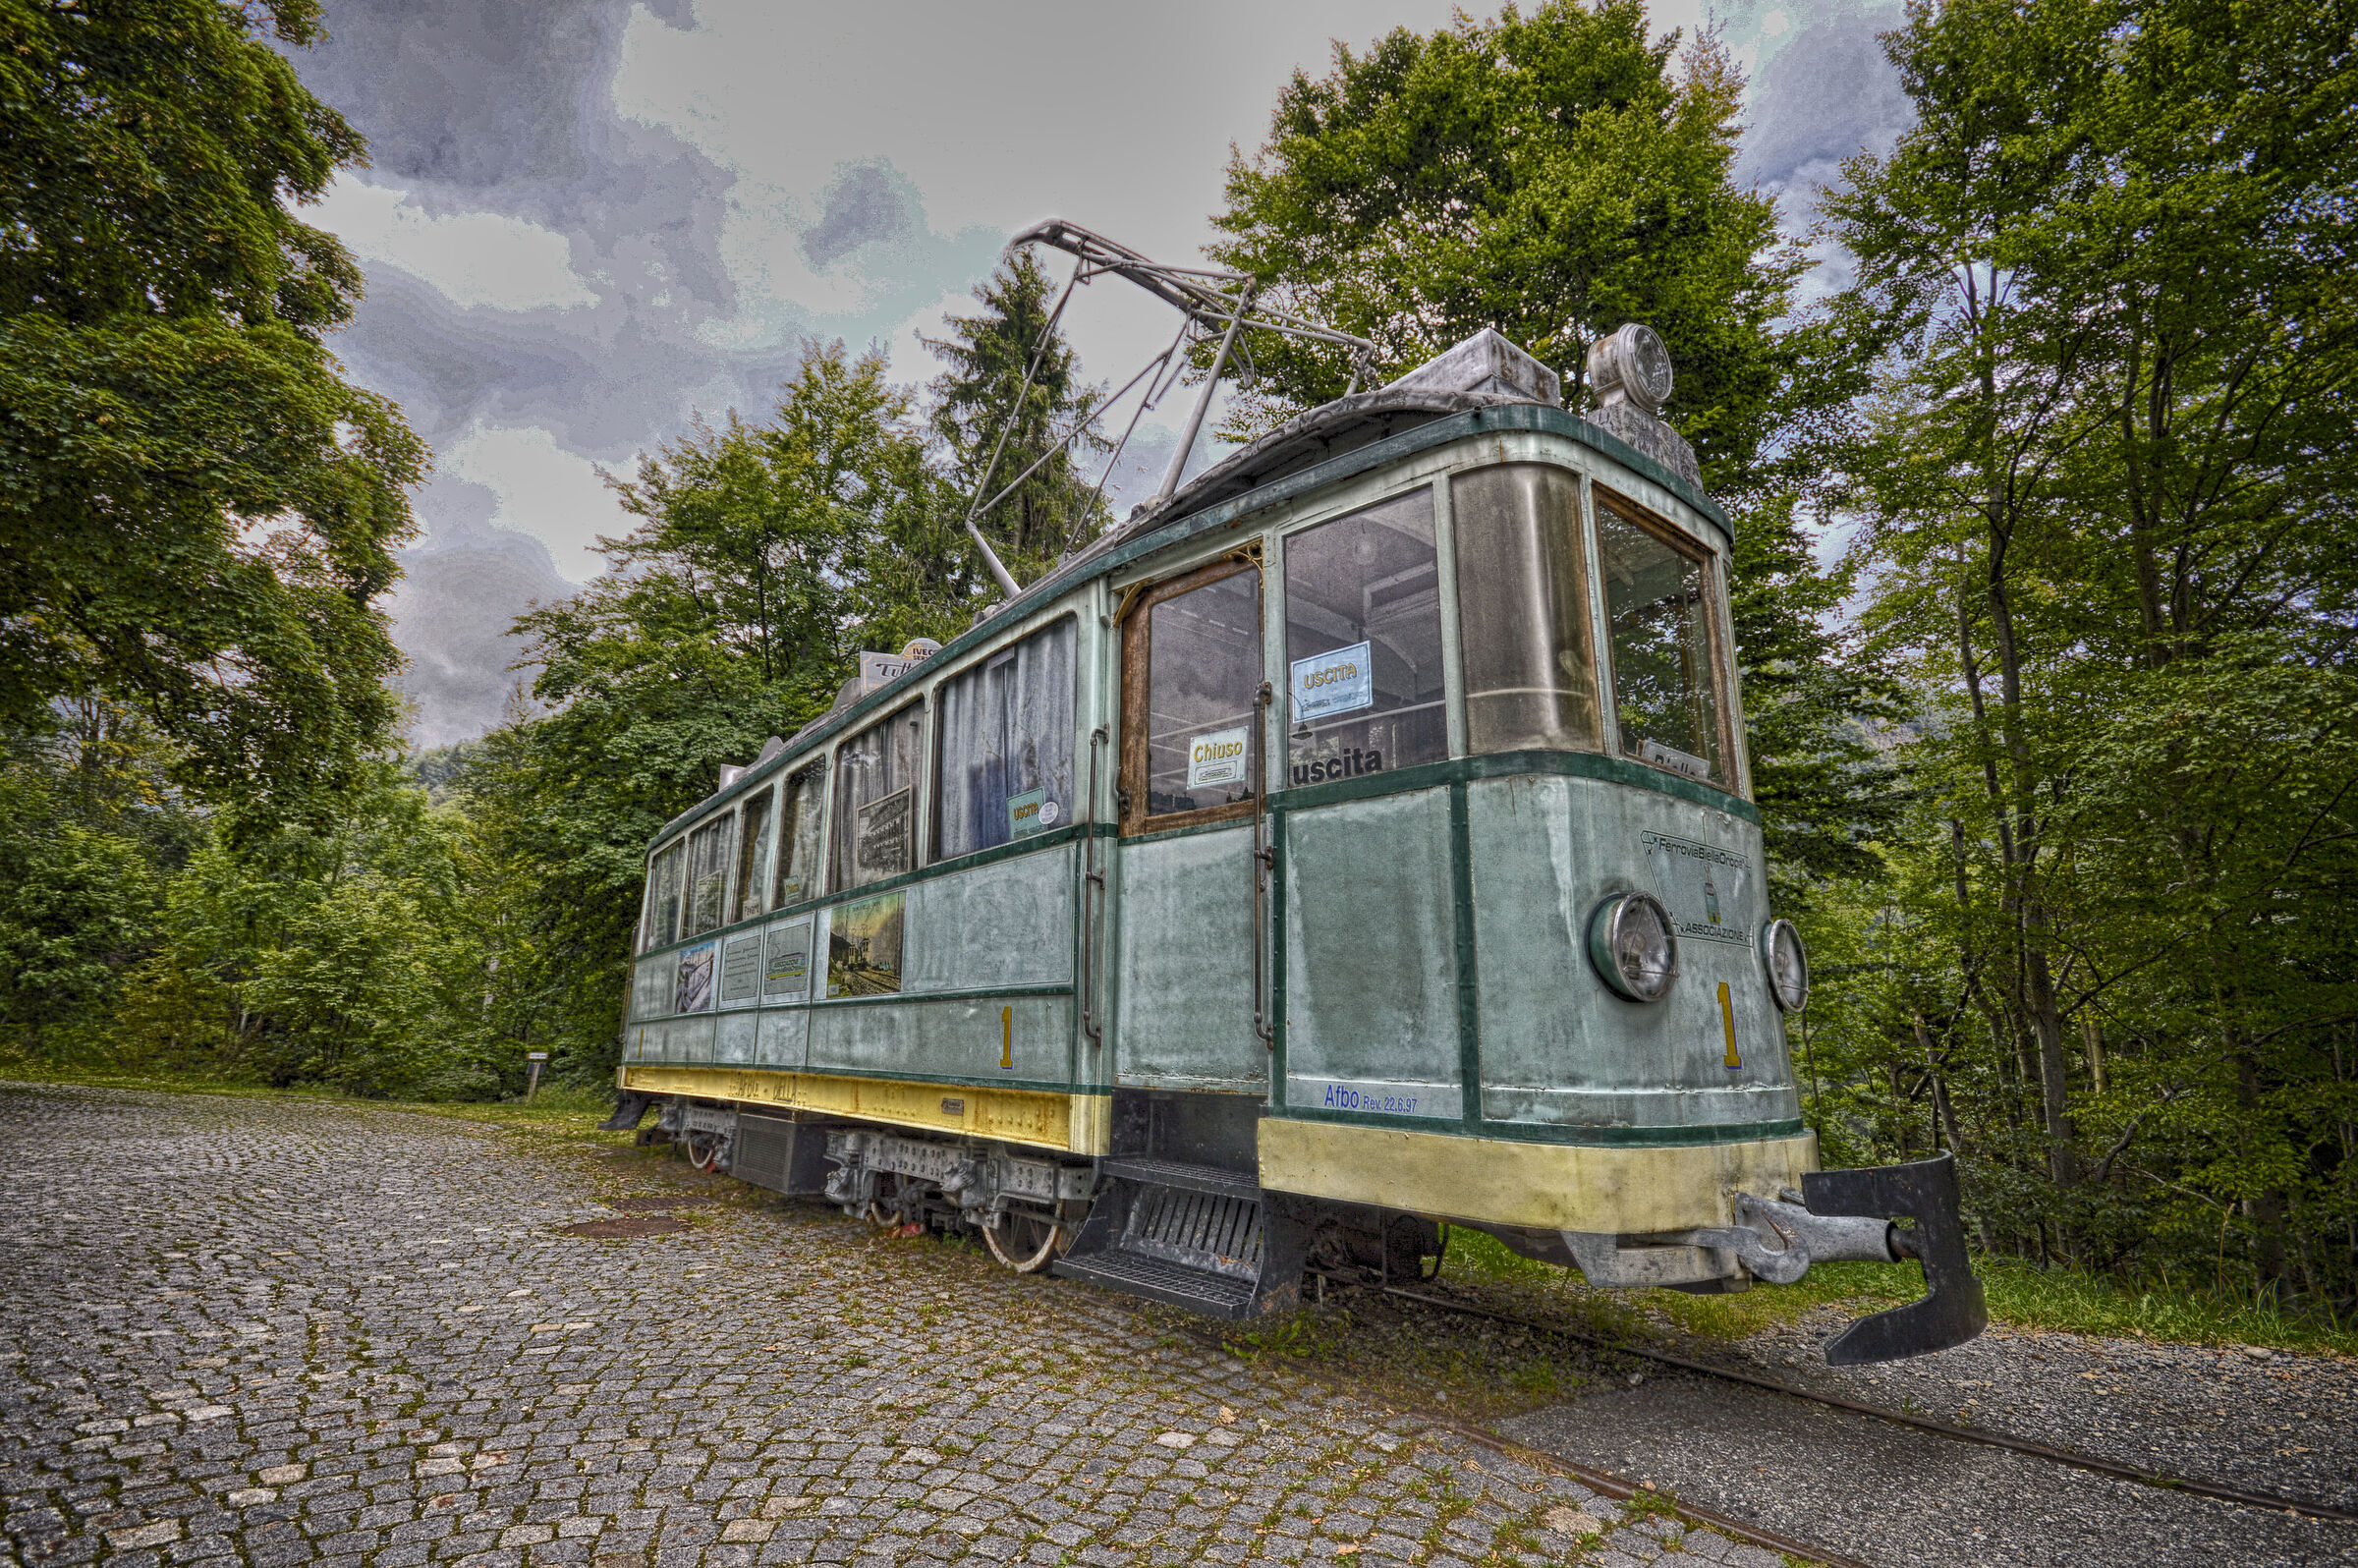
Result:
473,258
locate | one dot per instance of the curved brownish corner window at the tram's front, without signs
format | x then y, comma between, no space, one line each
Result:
1524,610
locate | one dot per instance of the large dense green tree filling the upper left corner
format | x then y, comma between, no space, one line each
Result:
197,513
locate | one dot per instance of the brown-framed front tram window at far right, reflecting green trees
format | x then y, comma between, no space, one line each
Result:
1659,612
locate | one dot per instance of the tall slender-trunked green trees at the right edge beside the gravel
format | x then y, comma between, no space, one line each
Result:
2105,473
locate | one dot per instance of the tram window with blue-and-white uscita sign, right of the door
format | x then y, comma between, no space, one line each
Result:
1364,645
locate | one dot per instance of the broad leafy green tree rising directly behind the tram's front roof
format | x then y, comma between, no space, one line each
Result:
1548,176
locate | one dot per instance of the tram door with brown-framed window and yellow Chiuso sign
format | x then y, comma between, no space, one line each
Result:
1192,772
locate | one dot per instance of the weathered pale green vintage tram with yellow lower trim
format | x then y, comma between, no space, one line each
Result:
1352,843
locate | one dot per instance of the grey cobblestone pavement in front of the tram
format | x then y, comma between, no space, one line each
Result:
272,1333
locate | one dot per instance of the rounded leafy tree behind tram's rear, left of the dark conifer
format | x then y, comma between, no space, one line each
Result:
765,558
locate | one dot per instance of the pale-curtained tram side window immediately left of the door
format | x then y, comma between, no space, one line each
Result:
1008,744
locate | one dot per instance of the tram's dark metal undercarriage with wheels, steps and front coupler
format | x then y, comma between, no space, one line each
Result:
1216,1241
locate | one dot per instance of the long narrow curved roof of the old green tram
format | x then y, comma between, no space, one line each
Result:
1310,452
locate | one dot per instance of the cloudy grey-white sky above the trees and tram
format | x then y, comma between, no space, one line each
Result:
588,223
